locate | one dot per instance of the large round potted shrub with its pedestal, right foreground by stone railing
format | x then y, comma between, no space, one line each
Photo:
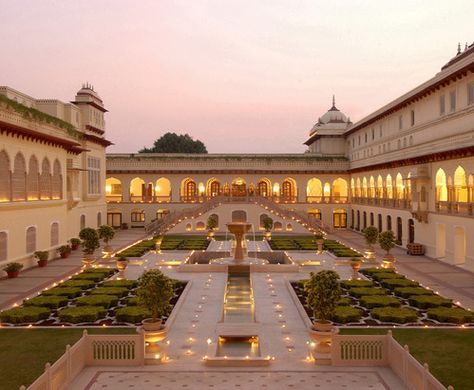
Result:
323,291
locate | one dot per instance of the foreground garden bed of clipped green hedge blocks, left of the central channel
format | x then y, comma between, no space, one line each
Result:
87,299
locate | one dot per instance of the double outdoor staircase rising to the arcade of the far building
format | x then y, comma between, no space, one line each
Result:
161,226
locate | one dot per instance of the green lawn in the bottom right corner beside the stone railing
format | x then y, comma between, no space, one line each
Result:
447,351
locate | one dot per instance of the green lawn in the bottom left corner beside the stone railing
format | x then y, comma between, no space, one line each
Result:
24,352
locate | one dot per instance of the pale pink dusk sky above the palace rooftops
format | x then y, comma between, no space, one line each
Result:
242,76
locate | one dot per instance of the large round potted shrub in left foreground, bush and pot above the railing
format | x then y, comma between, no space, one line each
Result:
154,292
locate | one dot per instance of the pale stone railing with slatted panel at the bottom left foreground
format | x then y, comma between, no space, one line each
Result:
91,350
